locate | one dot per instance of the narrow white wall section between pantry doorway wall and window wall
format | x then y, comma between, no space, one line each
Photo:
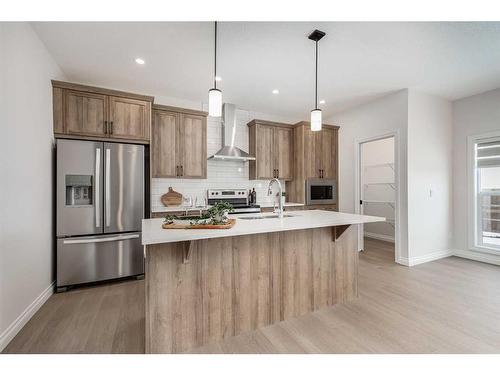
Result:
429,177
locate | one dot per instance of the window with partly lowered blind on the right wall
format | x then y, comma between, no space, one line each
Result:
486,190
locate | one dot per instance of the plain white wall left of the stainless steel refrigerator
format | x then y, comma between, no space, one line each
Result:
26,241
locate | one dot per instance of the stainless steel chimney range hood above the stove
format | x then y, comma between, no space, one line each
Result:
229,151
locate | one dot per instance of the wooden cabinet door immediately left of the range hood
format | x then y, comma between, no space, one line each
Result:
193,146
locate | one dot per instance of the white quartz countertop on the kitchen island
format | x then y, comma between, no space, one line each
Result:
153,233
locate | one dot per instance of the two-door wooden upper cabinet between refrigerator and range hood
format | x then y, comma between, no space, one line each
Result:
178,143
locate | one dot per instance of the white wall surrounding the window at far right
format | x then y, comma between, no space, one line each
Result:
477,114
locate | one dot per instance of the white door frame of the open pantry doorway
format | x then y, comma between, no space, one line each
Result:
397,179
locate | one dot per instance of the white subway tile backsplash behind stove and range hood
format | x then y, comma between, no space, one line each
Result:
220,174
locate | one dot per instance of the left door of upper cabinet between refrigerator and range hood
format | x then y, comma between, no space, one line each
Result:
164,153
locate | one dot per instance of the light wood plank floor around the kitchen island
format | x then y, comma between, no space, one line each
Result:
448,306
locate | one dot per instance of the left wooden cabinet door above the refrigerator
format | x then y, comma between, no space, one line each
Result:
84,113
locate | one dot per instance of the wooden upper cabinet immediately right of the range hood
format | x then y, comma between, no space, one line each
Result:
272,145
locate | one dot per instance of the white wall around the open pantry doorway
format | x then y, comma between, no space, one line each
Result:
379,117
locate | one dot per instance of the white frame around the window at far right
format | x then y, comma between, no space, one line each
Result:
474,222
